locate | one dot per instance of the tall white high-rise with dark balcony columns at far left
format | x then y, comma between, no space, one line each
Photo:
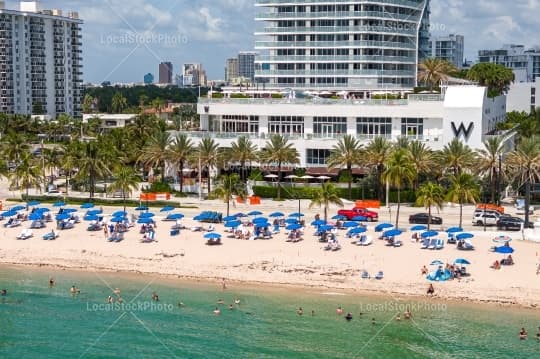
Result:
40,61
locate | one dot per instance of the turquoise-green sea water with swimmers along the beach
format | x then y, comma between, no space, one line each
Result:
41,322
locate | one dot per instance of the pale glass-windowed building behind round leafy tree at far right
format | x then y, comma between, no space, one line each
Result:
524,63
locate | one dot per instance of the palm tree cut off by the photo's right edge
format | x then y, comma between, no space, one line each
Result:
524,163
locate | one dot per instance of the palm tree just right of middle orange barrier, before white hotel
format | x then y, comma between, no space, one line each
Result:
279,151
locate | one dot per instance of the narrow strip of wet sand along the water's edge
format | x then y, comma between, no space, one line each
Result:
320,289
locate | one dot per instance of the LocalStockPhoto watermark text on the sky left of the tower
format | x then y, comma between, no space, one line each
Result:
133,38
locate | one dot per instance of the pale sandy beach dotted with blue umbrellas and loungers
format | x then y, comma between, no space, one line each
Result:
276,261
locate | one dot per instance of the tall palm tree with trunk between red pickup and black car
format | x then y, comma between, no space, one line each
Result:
399,171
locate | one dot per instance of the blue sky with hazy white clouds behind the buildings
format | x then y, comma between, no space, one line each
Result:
125,39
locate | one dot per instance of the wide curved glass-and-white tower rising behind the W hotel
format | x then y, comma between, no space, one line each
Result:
342,44
